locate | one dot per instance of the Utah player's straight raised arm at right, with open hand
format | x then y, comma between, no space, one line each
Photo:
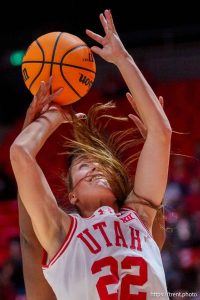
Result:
152,168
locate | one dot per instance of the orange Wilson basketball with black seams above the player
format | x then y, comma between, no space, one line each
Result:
64,56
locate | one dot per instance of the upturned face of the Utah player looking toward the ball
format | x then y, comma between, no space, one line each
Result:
89,182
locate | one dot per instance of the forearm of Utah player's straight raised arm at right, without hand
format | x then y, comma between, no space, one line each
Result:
147,103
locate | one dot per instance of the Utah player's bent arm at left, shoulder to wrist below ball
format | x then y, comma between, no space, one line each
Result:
33,187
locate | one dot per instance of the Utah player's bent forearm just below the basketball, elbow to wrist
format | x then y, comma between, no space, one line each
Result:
33,137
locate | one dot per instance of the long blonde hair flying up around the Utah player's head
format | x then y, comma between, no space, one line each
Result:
92,140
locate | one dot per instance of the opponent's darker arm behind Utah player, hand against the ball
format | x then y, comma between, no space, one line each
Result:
36,285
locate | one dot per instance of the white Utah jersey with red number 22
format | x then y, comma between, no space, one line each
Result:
108,256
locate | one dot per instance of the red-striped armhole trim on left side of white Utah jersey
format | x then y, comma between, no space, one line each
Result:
63,247
